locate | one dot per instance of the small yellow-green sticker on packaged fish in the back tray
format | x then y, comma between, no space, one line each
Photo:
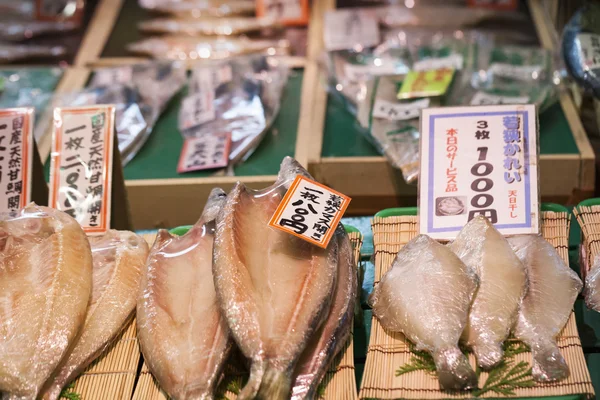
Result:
426,83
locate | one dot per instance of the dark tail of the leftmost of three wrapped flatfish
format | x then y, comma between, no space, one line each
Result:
454,370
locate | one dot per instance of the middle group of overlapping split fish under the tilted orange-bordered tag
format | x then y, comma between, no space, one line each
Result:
285,303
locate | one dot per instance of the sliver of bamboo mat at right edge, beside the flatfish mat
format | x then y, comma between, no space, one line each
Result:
589,219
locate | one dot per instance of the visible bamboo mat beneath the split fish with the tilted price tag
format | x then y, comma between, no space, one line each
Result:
338,384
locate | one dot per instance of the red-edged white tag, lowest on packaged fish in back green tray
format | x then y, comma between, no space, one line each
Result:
206,152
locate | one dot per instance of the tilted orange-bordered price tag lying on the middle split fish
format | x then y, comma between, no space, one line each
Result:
310,211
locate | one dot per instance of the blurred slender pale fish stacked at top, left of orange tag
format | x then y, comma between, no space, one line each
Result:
205,29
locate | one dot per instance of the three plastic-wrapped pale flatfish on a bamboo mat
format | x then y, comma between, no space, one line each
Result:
479,289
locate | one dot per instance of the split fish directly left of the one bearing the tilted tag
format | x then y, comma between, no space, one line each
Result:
183,337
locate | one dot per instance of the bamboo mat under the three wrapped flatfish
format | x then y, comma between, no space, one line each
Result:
389,351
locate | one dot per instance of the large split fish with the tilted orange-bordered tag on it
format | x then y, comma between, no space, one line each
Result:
274,288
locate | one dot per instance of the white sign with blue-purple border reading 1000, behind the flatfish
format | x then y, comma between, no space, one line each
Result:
479,161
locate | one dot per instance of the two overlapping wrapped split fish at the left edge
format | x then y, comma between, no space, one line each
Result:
66,298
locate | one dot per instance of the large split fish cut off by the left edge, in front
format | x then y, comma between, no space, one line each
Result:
48,254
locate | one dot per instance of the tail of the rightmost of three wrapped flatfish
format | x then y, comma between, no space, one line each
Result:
548,363
